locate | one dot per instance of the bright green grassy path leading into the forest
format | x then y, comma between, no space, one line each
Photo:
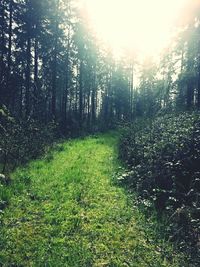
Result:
67,212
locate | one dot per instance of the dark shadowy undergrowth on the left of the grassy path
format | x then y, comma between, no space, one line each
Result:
22,140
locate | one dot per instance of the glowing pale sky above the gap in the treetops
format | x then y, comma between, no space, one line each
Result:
144,26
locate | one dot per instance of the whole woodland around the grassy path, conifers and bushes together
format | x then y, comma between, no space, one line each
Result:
58,80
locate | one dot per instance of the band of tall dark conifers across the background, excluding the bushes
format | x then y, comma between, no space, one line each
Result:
54,69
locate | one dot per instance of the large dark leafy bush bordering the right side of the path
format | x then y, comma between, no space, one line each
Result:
163,157
